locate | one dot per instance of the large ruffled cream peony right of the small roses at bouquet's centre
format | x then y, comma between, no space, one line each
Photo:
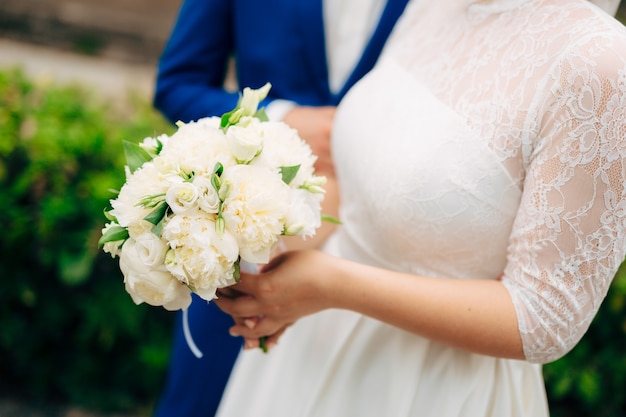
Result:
254,210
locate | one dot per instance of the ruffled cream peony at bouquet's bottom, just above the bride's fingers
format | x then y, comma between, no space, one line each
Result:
199,257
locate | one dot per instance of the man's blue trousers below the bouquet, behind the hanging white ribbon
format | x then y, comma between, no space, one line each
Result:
194,386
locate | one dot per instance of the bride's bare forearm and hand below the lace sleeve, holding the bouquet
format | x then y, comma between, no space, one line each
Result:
474,315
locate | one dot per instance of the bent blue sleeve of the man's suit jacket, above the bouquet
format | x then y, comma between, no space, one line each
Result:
193,66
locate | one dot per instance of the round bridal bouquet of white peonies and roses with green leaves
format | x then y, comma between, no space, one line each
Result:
218,192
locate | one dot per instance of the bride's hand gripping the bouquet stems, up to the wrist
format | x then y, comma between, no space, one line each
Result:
288,288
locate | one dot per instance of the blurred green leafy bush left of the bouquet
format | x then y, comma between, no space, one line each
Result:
68,330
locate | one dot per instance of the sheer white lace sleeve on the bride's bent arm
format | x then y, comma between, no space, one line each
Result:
569,235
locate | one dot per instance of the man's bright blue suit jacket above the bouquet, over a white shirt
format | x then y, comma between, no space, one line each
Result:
280,41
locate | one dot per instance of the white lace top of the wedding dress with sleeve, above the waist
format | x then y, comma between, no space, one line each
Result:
489,142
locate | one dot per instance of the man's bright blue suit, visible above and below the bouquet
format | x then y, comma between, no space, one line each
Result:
280,41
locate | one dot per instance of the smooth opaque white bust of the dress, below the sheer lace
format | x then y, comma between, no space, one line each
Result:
412,170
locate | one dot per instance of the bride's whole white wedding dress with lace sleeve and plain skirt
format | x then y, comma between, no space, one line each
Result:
488,142
